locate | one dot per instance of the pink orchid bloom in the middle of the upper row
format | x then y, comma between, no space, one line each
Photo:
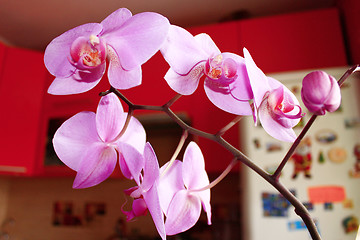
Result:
226,84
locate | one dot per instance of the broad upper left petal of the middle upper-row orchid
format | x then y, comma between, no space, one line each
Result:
182,51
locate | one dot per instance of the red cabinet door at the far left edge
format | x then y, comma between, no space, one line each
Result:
21,95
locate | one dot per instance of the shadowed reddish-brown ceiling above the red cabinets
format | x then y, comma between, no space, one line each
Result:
34,23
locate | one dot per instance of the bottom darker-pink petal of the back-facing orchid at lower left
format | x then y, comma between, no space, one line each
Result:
97,164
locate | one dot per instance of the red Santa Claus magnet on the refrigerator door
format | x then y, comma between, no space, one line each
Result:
302,158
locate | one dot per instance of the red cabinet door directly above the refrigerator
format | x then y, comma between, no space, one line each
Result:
305,40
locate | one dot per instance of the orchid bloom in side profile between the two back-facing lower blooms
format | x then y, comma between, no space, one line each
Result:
146,193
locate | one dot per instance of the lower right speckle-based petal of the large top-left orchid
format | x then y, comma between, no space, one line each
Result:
119,77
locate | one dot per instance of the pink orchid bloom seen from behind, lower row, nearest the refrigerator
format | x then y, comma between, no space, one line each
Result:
181,193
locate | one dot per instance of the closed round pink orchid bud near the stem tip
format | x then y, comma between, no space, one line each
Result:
320,92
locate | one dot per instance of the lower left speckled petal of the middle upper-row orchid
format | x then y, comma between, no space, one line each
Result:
185,84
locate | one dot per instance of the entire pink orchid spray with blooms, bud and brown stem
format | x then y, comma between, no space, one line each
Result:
93,143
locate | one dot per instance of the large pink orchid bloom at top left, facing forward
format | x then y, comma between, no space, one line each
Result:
77,58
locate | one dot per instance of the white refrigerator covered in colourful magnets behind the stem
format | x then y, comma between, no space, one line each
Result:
324,173
